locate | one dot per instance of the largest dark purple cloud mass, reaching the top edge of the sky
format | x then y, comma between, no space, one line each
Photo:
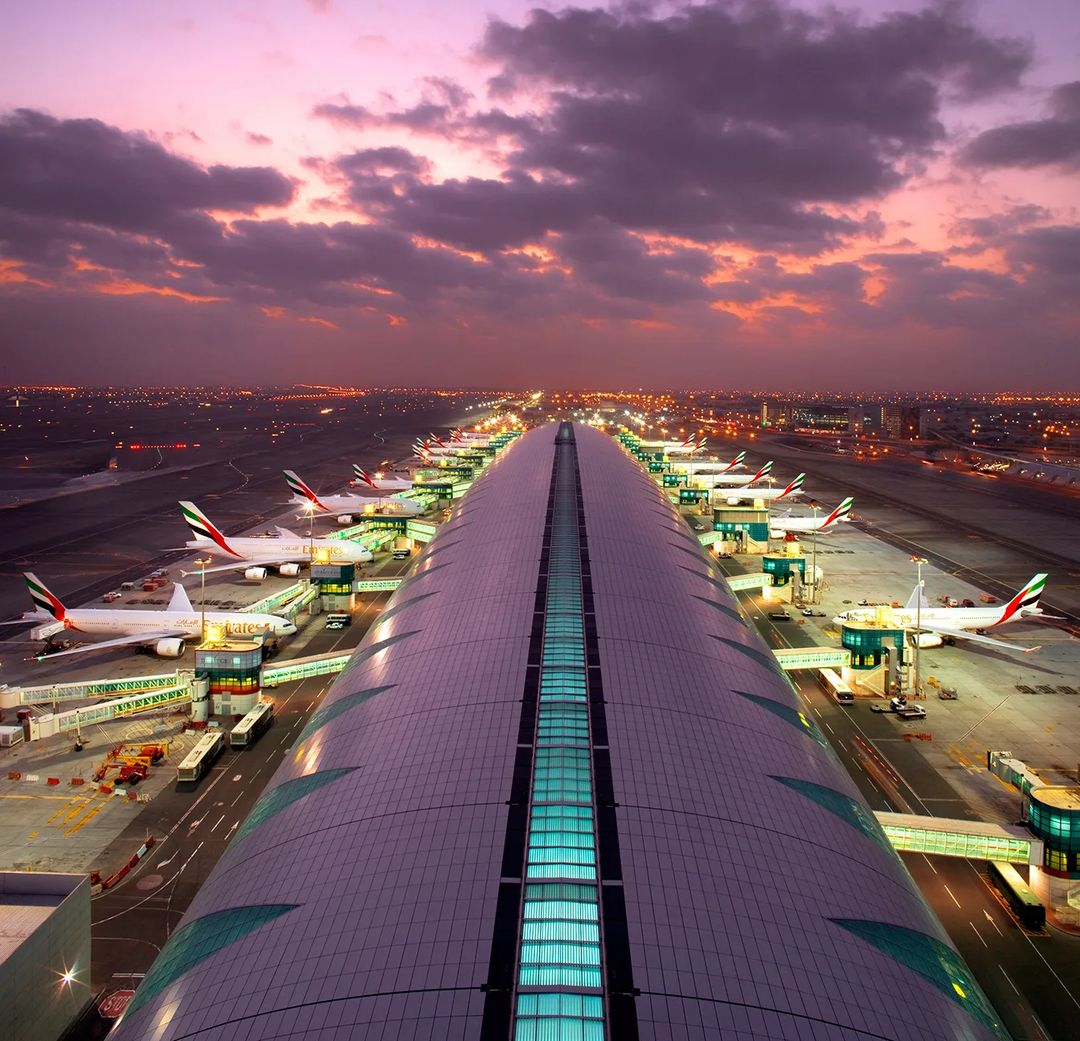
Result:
749,124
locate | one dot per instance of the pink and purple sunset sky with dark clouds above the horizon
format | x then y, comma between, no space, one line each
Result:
800,196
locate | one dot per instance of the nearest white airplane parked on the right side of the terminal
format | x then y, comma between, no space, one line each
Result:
933,626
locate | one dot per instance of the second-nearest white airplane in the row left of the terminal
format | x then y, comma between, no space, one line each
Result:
287,551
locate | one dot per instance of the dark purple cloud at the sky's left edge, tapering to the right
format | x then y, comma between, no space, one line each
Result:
87,171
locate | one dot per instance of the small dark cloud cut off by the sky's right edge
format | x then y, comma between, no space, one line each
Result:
1034,143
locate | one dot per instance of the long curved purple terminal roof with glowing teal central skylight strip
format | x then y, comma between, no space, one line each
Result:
562,791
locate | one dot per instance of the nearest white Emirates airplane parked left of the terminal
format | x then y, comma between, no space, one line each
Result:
167,632
